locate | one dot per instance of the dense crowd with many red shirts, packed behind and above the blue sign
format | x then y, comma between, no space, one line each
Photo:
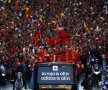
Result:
43,31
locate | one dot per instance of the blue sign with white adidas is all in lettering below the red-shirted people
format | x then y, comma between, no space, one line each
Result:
55,74
